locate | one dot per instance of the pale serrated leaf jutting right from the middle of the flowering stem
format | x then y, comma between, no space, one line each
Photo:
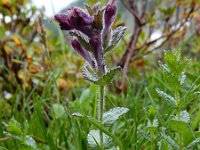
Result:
112,115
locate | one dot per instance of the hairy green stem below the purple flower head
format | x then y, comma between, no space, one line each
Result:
101,105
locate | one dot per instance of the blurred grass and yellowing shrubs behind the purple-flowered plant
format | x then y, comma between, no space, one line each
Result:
40,75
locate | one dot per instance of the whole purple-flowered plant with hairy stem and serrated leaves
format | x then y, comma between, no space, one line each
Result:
92,37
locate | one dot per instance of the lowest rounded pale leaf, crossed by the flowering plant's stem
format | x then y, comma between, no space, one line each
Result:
93,139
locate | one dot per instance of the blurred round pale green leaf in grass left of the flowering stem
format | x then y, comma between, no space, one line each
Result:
58,110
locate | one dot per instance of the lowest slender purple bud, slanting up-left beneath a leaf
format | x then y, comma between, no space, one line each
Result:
81,50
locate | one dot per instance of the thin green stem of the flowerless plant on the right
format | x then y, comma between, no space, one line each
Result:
177,96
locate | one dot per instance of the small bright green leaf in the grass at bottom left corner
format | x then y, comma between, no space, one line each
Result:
14,127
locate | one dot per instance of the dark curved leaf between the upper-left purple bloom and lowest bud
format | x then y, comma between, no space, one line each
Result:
82,39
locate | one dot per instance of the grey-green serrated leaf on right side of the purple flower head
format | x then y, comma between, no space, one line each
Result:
116,37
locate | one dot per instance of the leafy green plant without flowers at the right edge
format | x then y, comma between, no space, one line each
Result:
178,121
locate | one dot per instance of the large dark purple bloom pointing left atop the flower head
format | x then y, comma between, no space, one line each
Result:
75,19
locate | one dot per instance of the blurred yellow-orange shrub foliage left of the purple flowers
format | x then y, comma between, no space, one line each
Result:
25,53
